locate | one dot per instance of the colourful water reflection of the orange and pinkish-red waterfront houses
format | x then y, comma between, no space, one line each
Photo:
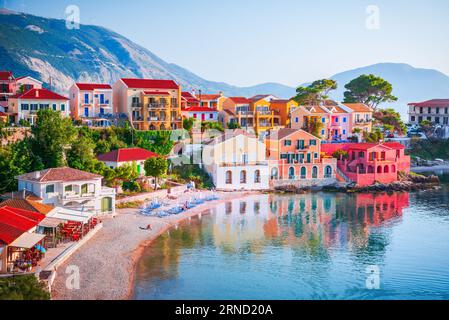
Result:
332,220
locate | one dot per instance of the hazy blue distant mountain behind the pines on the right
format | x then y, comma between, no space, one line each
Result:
409,84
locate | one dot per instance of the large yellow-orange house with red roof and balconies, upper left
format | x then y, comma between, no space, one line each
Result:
149,103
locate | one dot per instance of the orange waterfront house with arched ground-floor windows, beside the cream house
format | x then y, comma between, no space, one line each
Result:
295,154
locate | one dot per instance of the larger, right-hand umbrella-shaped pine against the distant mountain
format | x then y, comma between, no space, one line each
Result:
370,90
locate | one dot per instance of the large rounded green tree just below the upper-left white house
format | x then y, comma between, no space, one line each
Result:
51,135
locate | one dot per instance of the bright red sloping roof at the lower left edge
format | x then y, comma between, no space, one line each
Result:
15,222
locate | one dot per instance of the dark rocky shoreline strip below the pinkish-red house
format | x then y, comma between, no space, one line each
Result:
409,182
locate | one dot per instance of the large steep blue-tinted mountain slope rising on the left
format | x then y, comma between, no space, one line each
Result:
45,48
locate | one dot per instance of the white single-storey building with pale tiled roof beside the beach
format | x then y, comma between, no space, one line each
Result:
69,188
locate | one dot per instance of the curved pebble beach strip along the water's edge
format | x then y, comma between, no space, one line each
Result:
106,263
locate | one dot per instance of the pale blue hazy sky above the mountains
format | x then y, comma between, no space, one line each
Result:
247,42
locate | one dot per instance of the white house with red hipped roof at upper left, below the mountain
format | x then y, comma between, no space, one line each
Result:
24,106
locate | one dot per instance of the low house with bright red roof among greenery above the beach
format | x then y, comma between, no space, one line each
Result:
127,156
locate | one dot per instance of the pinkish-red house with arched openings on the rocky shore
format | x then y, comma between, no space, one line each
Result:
368,163
